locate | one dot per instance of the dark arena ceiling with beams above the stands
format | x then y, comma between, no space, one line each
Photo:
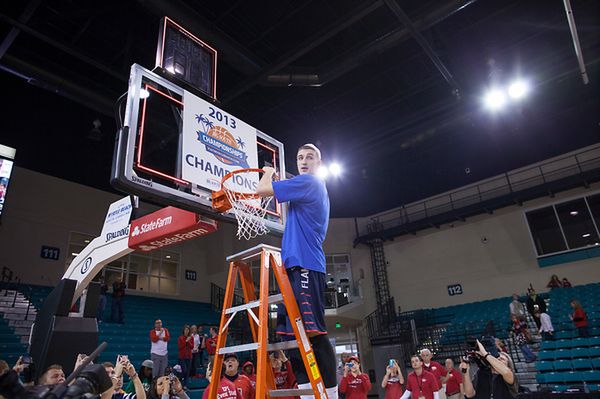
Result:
391,89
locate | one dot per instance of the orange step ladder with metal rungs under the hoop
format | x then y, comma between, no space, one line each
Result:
258,315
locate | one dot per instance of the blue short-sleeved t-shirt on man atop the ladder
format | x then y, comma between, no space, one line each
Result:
306,225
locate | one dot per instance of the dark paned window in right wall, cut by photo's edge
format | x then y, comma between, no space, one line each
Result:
569,225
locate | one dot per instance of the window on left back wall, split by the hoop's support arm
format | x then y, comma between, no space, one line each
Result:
155,272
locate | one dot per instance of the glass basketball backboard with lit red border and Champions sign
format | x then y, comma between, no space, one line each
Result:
175,146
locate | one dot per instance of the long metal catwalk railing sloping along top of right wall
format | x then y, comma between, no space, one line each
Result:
580,162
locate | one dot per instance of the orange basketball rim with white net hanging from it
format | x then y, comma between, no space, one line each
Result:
249,208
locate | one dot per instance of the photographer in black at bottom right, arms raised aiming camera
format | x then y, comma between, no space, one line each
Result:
494,378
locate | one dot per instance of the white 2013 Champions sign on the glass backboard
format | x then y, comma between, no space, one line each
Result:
214,144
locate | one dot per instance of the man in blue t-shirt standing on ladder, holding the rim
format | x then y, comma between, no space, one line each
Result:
304,259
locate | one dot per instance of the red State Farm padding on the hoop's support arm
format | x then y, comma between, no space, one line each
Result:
167,226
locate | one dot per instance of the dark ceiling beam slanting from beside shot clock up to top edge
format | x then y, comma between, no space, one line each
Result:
312,42
